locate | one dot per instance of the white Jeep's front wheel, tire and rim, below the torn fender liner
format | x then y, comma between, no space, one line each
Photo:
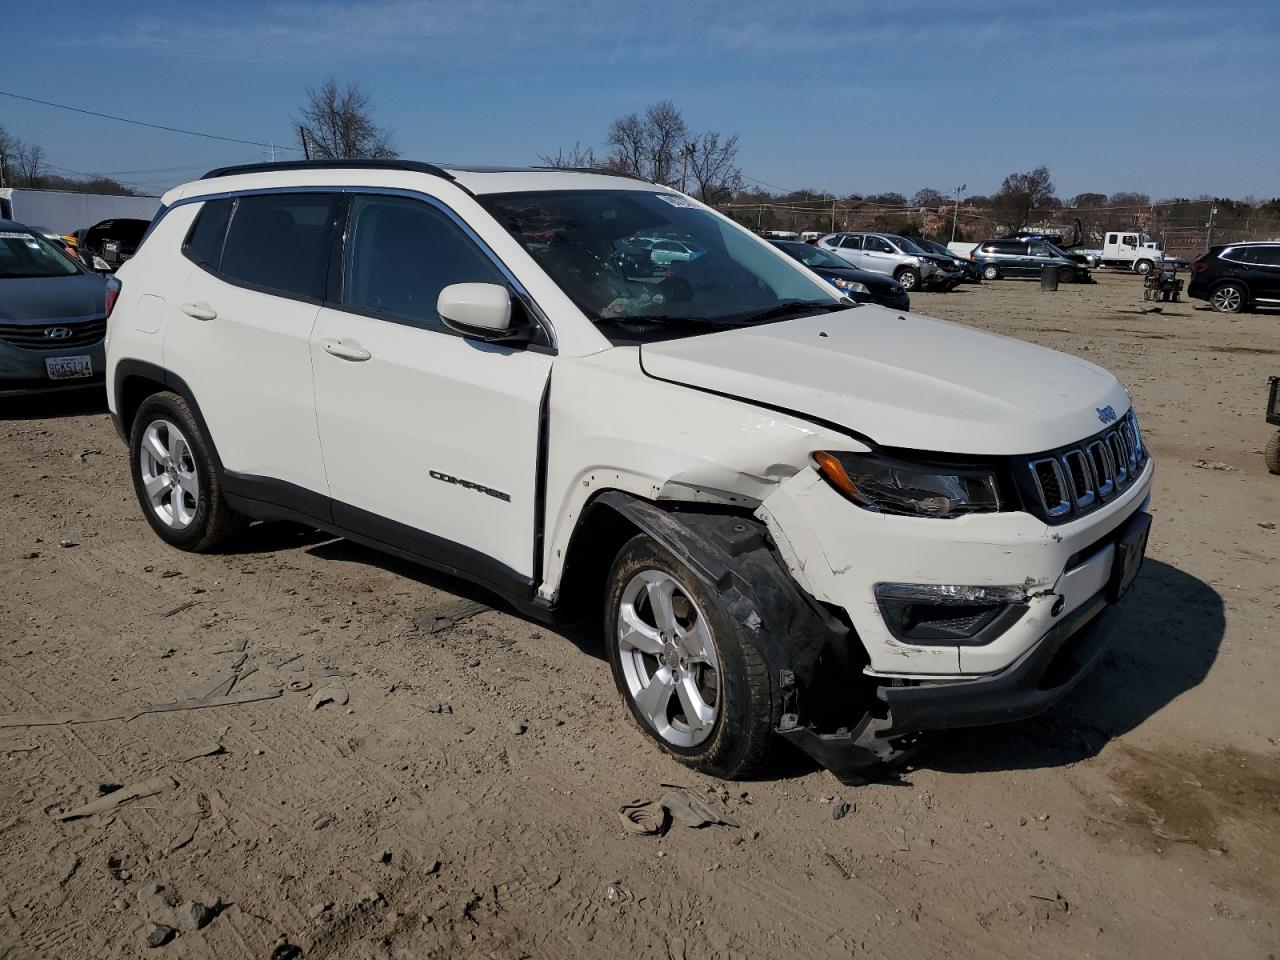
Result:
692,676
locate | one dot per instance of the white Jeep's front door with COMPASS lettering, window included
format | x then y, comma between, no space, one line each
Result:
431,440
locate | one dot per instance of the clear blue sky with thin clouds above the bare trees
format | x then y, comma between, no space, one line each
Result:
1169,99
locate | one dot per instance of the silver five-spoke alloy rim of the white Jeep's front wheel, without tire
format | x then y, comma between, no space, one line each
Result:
669,659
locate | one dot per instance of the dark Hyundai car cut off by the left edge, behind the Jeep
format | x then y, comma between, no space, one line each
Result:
53,317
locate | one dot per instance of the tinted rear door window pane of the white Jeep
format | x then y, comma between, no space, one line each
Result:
280,243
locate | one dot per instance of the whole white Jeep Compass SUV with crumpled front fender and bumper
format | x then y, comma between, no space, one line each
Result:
797,518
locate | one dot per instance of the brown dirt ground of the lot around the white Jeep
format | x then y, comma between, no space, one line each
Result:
464,799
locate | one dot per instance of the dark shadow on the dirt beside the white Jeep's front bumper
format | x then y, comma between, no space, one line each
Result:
1165,646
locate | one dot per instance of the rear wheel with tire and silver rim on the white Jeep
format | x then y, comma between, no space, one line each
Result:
176,477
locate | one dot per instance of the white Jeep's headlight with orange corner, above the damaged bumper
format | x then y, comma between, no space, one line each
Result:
912,490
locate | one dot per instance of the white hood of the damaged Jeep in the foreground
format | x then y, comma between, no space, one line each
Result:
902,380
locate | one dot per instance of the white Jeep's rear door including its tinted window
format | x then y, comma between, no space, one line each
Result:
240,331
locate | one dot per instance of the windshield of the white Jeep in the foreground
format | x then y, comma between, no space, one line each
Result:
646,266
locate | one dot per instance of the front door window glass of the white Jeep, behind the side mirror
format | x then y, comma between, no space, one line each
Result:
401,254
